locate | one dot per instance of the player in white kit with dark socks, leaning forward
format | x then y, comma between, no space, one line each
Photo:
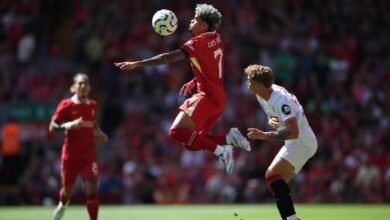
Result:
287,117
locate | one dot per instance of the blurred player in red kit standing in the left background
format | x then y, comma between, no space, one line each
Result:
77,116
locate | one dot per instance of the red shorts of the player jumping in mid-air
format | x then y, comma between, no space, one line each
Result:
204,112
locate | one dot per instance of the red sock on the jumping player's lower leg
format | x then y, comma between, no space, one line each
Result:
192,140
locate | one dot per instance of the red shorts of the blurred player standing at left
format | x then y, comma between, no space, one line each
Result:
71,168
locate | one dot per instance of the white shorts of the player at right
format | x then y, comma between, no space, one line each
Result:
298,152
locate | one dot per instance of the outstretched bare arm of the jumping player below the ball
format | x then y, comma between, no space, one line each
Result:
163,58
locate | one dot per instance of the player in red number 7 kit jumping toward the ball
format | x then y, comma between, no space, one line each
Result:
199,113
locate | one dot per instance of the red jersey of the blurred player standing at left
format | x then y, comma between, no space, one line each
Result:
79,143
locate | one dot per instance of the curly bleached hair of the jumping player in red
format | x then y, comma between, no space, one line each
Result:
210,15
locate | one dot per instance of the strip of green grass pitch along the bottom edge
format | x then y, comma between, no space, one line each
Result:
202,212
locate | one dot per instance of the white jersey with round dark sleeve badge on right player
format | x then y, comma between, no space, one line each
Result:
284,106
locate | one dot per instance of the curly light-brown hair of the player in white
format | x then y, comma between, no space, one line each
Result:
261,74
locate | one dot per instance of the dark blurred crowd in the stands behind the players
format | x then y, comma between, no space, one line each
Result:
334,55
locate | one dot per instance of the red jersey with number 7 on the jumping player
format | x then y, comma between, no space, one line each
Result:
206,53
